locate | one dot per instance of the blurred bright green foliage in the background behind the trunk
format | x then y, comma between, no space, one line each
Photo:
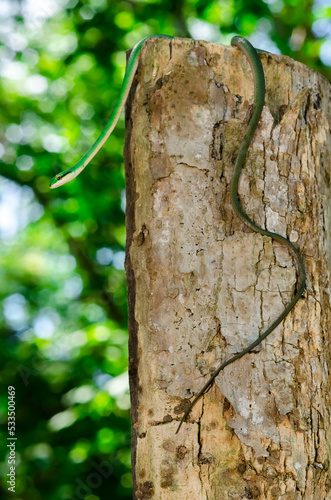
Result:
63,313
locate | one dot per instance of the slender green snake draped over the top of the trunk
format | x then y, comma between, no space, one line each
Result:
259,94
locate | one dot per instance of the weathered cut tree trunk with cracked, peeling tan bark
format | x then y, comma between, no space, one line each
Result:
202,285
